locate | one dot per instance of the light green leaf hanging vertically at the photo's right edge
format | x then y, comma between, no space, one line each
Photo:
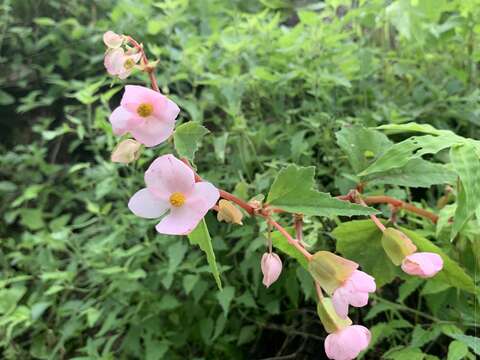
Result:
466,163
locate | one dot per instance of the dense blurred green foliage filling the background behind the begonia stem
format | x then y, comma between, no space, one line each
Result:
275,82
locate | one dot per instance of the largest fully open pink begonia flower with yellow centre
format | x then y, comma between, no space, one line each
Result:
171,186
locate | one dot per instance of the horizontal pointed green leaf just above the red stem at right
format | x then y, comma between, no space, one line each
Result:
415,173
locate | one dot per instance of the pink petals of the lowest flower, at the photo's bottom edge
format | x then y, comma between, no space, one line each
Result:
347,343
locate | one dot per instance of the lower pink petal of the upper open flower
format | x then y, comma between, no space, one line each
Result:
152,131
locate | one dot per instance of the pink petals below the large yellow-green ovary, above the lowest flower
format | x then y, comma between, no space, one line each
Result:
353,292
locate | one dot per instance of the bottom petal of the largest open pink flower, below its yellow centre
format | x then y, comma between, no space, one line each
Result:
180,221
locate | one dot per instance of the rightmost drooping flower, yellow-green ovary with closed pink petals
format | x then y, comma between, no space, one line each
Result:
401,251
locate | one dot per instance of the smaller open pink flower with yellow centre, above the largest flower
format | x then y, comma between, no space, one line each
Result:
148,115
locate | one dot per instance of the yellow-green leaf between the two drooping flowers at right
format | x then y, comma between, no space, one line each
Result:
361,241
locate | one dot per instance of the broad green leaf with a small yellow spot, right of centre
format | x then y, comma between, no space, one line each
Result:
361,145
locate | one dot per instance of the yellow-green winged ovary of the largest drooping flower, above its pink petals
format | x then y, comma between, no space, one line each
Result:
330,270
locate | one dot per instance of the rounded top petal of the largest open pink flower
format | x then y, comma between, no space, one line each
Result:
167,175
